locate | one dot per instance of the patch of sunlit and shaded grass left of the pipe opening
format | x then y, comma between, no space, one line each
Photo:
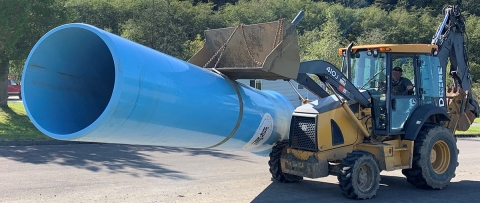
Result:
15,124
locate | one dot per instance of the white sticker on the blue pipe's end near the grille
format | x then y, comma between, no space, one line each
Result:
262,134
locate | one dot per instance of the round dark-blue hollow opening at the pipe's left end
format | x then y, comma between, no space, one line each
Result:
68,80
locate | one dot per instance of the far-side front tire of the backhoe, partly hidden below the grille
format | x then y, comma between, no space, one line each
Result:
275,166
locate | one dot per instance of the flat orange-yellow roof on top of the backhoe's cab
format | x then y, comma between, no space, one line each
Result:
395,48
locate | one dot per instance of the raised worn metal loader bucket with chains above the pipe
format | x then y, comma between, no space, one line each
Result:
260,51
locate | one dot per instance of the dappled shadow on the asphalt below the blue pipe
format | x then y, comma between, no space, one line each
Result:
129,159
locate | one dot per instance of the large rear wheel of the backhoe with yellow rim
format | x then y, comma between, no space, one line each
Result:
435,159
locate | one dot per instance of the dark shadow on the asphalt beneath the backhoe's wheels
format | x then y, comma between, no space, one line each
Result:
392,189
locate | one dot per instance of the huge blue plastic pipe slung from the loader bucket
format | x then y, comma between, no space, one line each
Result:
81,83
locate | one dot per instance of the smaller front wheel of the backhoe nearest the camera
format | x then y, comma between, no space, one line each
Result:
359,176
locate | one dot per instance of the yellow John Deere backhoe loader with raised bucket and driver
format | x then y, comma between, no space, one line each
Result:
387,108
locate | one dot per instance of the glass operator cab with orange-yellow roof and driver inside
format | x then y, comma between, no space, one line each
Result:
399,78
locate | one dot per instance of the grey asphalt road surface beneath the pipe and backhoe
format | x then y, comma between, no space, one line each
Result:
124,173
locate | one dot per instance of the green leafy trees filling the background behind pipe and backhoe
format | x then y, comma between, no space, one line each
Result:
176,27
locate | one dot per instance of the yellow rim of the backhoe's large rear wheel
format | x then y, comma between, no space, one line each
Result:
440,157
